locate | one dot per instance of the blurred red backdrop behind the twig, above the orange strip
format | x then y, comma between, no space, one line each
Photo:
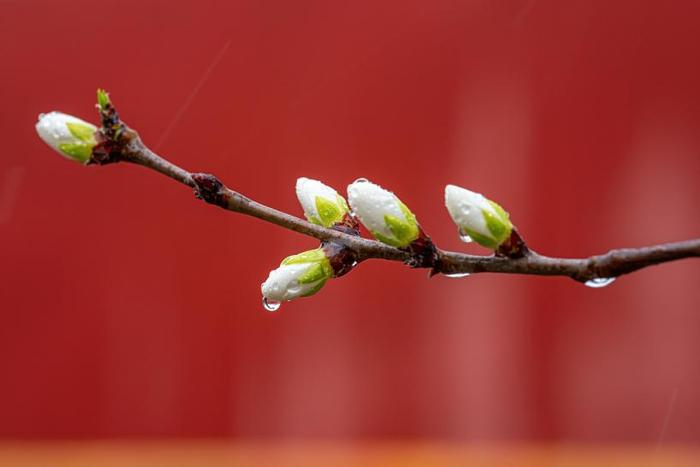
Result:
128,308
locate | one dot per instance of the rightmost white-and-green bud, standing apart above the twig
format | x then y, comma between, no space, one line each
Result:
483,220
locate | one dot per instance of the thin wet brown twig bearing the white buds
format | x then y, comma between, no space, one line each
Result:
118,143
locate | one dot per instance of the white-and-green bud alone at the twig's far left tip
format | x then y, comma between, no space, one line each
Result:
72,137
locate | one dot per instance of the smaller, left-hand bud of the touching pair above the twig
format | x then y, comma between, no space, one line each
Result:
322,204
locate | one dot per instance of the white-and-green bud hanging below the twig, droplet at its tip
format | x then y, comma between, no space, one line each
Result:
298,276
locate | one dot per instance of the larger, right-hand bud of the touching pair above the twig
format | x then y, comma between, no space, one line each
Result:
383,213
